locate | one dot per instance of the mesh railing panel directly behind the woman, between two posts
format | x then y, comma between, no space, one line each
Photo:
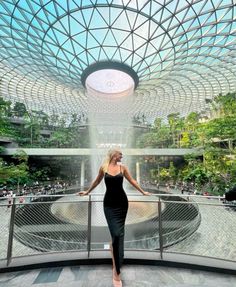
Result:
141,228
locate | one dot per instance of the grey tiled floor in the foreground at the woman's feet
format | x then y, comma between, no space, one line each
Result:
100,276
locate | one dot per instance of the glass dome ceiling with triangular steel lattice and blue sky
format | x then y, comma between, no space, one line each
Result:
183,51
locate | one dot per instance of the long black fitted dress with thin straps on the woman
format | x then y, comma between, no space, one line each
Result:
115,208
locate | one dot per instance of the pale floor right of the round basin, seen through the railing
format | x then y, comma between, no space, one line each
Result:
216,234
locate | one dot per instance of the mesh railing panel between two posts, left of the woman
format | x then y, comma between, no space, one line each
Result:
46,225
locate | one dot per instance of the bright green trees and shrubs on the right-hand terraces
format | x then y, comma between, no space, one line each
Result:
213,169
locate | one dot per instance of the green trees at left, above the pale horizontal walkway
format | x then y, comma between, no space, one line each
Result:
37,129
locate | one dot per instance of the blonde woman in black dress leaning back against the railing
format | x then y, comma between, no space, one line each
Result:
115,205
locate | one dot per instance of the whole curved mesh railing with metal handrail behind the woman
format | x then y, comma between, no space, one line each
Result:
162,224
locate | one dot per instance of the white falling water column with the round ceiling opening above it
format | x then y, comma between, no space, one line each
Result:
110,95
